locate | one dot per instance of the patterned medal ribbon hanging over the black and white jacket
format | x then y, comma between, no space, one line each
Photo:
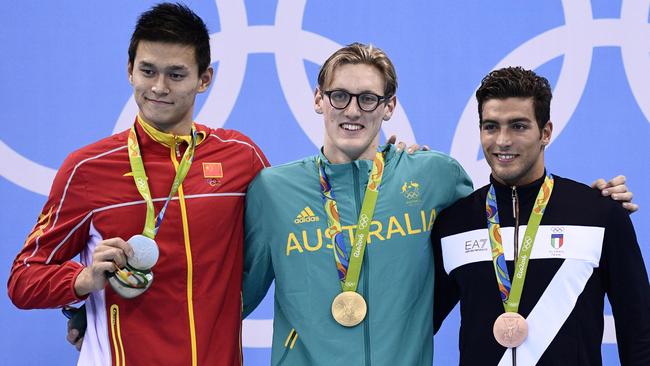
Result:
511,291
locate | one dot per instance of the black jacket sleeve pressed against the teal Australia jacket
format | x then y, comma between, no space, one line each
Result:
445,295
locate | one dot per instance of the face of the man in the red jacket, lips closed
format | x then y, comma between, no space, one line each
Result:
165,82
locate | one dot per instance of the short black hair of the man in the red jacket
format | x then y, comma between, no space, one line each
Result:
173,23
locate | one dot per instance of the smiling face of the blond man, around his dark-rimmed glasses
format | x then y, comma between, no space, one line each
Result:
351,133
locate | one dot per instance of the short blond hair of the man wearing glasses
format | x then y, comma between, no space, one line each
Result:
359,53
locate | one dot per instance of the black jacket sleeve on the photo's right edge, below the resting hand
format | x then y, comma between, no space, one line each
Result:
627,288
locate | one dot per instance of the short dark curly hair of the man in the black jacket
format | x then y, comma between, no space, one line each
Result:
517,82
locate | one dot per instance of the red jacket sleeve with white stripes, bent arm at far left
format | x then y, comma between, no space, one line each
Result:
43,273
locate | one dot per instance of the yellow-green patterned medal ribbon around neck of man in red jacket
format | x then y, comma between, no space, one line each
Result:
152,222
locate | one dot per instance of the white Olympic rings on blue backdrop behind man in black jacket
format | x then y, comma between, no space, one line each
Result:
575,40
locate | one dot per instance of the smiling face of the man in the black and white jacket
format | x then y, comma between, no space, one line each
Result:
512,142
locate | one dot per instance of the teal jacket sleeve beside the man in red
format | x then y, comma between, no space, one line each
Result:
258,266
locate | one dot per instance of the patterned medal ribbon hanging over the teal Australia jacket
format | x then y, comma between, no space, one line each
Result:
349,265
